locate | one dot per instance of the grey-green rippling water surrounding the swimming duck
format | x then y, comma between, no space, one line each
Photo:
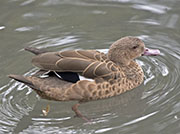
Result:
153,107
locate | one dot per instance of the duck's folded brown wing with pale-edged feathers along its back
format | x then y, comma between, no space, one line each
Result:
89,63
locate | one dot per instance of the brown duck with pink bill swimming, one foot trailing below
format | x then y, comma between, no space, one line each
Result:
111,74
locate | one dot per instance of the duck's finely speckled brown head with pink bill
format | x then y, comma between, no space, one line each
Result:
126,49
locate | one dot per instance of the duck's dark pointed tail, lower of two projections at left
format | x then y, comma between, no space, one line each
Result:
22,79
